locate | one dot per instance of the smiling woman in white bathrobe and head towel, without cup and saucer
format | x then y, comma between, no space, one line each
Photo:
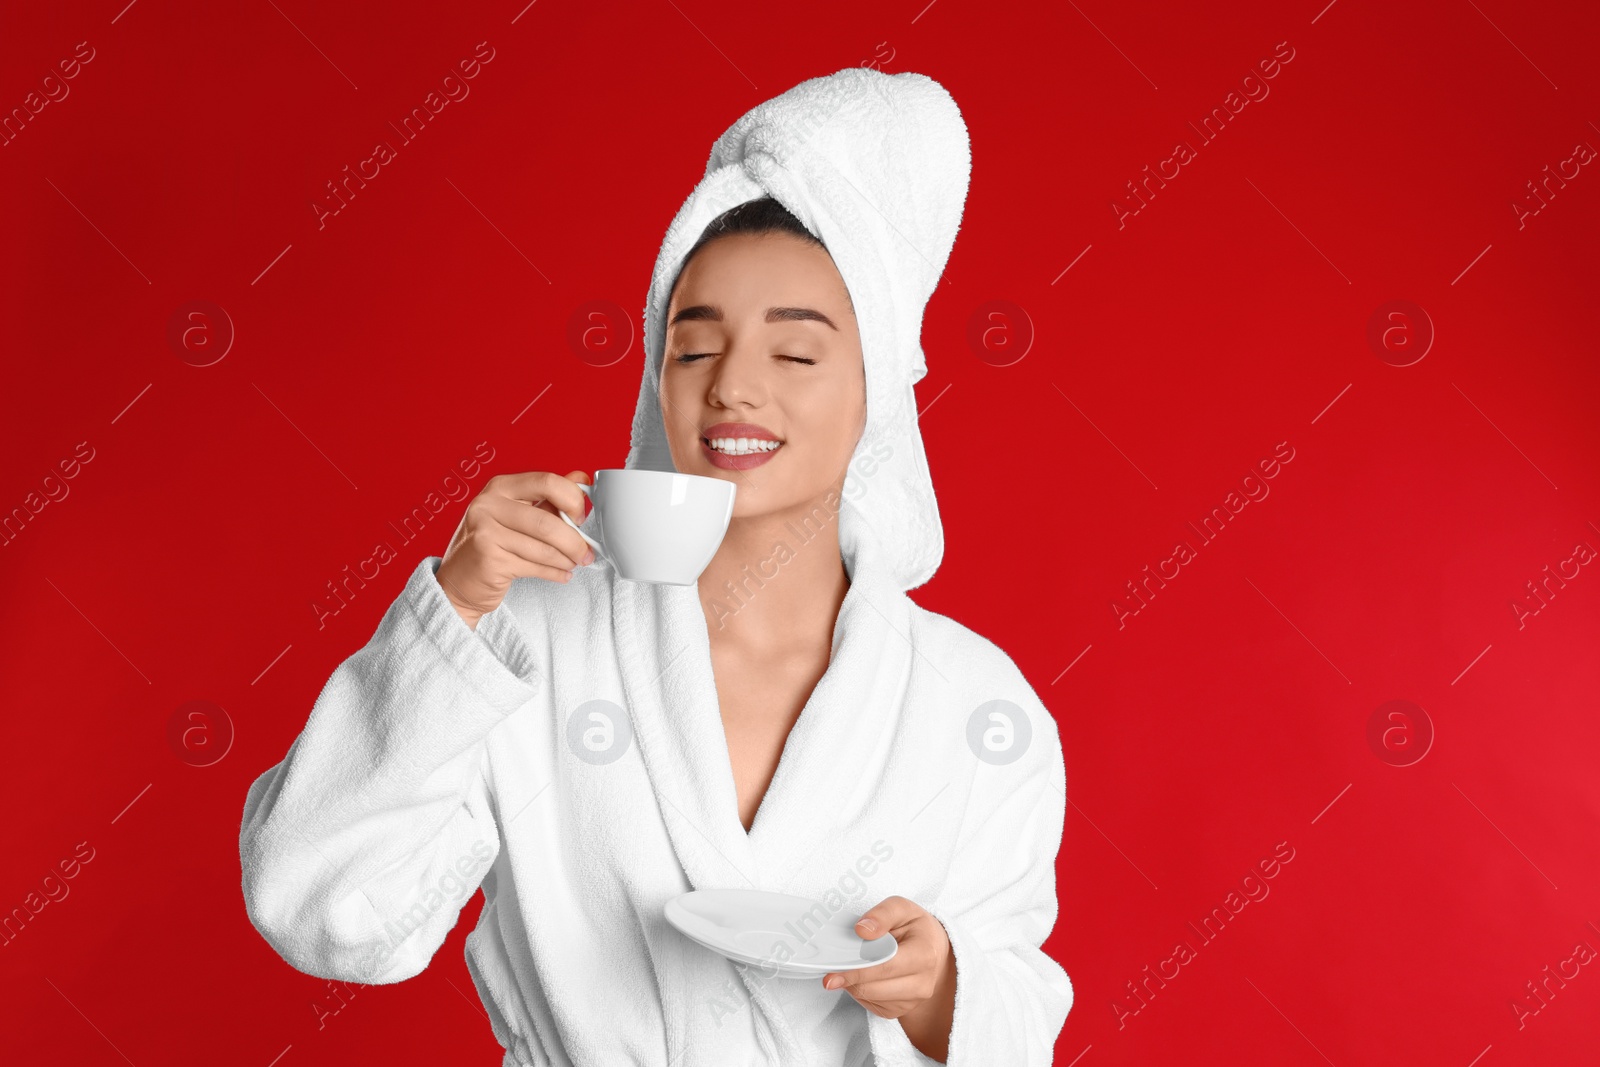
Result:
796,724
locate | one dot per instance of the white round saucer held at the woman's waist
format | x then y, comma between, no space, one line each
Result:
777,933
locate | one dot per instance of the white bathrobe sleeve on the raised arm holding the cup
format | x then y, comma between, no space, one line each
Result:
361,847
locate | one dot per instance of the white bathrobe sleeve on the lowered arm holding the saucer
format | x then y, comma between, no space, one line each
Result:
999,905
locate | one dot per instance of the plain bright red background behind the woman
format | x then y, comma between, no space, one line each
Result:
1180,350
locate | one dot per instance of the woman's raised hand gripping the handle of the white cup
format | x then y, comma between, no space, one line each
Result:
502,538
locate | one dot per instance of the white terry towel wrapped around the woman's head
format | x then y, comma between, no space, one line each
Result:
876,166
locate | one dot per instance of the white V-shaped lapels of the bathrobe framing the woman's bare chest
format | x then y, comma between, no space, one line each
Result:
830,764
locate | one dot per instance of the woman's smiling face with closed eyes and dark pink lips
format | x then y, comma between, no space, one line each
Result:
762,346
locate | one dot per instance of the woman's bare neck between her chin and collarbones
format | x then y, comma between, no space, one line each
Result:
777,580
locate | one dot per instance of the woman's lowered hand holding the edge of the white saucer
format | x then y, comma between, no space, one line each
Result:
918,986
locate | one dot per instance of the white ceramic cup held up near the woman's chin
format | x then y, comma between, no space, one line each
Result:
658,526
